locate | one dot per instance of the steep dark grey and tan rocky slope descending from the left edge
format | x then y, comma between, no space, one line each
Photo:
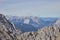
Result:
7,30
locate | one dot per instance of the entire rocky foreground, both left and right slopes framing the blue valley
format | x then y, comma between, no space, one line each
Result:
9,32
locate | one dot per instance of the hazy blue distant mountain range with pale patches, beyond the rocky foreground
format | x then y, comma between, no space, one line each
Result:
27,24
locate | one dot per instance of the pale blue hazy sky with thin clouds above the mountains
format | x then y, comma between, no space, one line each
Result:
40,8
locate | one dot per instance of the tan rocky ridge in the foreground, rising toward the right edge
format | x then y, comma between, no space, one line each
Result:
51,32
